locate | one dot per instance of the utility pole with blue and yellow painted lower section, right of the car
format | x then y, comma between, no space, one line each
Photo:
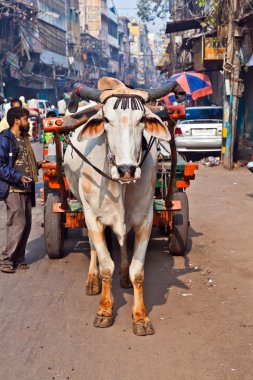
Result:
232,87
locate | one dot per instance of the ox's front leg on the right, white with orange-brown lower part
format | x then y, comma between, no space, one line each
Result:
141,323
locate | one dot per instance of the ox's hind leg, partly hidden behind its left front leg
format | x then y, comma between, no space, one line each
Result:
92,283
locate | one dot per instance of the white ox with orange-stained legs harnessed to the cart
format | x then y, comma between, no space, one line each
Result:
123,204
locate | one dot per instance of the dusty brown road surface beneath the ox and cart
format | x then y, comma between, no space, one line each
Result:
200,305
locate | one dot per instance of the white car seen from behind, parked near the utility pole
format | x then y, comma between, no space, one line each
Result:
201,131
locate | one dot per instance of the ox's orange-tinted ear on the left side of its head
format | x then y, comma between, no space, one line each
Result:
94,127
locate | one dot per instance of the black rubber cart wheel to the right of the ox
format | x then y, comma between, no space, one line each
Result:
179,239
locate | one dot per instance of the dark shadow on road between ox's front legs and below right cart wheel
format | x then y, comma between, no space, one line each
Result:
162,271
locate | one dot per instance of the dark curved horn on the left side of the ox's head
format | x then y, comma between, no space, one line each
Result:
83,92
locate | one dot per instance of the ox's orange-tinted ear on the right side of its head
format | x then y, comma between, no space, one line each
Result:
155,127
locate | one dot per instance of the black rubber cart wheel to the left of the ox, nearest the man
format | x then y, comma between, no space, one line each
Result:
53,228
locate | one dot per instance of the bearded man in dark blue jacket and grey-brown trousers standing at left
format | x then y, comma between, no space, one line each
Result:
18,170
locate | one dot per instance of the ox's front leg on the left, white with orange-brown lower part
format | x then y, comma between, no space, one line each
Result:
104,316
